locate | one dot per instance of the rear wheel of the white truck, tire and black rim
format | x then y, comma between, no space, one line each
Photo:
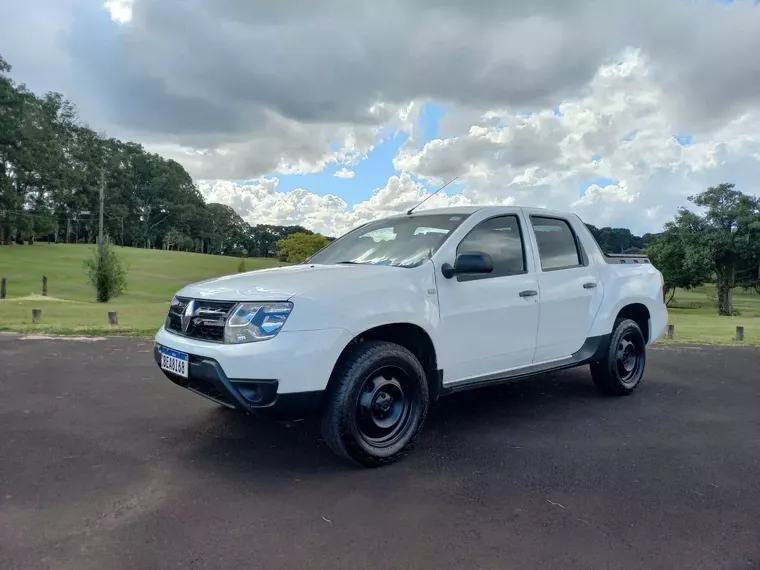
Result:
621,371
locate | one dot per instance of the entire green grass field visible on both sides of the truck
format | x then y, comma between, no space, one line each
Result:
155,275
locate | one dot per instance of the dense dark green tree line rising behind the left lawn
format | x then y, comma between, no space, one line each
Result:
52,166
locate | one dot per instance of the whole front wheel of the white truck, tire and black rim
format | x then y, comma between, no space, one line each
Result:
375,405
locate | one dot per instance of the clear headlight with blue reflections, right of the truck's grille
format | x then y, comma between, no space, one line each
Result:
252,322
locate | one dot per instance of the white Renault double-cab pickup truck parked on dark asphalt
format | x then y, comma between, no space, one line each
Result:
371,330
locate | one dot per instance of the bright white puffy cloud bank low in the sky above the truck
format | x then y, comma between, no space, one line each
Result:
620,127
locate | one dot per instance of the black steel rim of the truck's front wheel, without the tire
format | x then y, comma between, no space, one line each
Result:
385,407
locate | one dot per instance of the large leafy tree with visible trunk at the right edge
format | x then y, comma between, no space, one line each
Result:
723,242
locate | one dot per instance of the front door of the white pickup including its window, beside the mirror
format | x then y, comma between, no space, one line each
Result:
488,323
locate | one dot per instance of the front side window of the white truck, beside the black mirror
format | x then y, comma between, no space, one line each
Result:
500,238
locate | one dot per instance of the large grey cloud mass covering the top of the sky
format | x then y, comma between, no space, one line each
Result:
241,88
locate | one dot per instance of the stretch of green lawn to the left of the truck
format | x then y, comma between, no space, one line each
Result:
153,276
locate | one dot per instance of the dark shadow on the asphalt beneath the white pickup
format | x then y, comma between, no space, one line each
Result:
233,444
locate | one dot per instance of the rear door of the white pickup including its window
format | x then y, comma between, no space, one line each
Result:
569,285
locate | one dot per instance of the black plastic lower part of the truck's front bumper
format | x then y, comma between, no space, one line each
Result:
260,396
